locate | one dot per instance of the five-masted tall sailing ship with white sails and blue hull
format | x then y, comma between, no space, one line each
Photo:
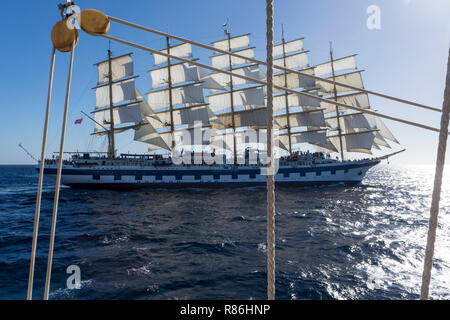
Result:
209,129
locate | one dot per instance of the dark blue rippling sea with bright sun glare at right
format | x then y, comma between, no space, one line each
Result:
361,242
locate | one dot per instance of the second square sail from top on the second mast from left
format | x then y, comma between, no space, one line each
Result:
179,73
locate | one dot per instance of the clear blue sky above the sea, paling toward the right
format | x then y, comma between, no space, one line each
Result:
407,58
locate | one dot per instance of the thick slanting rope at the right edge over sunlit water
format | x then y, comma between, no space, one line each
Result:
434,211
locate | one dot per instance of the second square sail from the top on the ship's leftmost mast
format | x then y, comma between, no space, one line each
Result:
121,91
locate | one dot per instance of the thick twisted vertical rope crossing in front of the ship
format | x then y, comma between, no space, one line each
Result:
270,155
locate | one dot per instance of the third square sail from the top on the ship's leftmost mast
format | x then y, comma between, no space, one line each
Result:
131,113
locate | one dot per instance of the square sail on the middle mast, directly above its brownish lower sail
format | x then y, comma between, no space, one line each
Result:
222,101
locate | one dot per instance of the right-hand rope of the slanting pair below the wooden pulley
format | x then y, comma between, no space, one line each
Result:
58,179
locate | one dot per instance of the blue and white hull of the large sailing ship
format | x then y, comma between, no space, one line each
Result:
123,177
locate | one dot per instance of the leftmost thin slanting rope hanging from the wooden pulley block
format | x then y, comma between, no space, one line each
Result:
41,178
